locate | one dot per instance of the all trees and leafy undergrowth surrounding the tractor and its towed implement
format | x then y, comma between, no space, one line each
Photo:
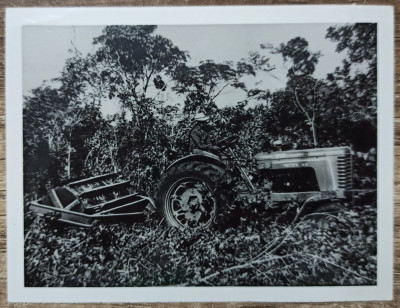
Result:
67,137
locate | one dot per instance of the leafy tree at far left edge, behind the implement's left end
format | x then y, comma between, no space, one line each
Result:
58,117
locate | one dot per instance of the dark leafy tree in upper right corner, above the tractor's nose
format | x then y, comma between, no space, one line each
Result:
356,82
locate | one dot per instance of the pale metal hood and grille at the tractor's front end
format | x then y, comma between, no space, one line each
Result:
329,173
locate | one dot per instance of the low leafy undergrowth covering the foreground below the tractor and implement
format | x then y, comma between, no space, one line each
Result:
331,249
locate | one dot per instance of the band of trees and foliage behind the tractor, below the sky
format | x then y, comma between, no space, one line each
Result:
66,135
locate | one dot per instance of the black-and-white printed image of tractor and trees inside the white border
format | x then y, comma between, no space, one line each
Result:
200,155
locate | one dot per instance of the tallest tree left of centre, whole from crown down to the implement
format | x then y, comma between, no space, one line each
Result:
134,66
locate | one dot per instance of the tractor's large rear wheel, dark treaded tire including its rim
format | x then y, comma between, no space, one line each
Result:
186,195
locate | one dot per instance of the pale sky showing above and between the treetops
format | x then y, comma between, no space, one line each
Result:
45,49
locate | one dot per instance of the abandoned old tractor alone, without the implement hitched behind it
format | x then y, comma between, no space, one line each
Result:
194,188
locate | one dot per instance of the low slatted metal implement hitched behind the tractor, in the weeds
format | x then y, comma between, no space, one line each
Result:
105,198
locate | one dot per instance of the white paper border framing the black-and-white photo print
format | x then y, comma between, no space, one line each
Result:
16,18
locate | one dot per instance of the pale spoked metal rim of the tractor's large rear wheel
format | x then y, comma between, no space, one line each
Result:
190,203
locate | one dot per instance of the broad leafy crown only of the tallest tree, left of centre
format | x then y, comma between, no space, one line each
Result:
132,61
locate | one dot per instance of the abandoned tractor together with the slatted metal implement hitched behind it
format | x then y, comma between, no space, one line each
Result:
195,188
